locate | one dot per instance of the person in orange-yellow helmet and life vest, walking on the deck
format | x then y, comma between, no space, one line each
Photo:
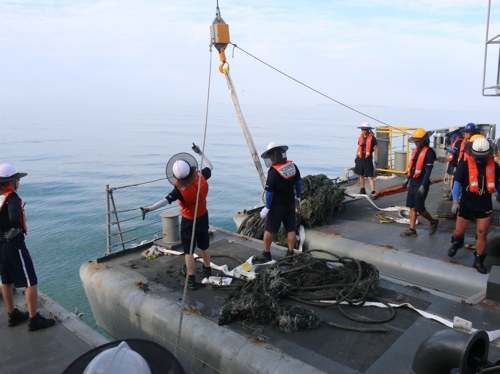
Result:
418,178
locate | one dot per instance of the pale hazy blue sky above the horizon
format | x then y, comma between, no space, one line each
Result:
397,53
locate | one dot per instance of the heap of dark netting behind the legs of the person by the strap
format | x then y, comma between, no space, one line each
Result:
321,200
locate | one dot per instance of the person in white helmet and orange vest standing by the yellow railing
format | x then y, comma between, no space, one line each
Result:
367,145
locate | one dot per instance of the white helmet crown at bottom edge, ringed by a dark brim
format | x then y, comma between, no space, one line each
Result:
120,359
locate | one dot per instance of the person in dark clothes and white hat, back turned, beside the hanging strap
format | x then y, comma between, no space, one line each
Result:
282,177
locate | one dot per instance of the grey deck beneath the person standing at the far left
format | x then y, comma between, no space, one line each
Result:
44,351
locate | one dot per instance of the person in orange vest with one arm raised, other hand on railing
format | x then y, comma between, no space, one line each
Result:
182,173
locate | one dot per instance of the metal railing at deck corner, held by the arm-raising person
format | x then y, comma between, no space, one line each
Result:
121,224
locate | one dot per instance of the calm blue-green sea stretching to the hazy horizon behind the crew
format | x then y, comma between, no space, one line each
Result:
71,151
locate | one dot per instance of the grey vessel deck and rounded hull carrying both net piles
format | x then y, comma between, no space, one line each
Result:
135,297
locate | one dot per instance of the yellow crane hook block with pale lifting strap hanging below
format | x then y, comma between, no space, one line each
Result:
219,37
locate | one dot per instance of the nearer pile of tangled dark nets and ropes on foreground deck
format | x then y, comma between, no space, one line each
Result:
308,280
